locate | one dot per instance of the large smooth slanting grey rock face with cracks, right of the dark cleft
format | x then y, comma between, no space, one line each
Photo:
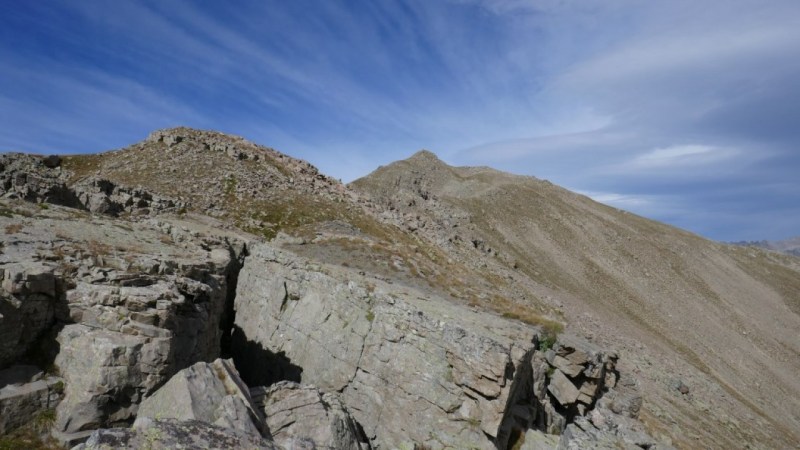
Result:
411,368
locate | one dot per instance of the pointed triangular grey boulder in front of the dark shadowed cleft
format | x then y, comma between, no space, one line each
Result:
208,392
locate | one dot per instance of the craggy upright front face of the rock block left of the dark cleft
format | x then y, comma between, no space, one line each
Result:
128,340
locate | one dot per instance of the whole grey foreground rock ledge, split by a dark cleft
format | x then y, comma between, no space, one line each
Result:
112,328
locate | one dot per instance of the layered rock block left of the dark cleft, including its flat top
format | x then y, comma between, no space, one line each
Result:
116,308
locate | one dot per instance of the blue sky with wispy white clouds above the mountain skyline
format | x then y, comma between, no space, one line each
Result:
683,111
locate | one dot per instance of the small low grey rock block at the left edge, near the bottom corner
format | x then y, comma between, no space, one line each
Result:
25,391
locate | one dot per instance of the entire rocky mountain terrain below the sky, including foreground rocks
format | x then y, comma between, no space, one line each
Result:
196,290
